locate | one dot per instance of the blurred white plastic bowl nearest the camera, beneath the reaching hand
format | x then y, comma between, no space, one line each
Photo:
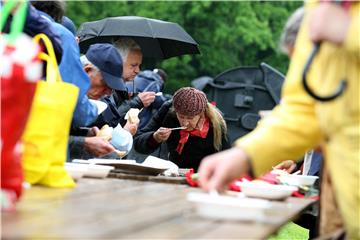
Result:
236,208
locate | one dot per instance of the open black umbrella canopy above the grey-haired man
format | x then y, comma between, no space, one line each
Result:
157,39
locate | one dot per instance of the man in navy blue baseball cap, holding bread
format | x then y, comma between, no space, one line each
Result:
102,63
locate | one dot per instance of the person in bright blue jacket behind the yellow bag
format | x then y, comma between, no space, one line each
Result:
70,67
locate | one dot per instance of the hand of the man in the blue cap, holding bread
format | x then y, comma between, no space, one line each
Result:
98,146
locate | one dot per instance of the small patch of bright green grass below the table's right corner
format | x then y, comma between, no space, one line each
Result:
291,231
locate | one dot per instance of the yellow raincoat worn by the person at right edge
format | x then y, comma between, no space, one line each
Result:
300,123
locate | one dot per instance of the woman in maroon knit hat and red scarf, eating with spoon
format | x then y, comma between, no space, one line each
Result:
204,130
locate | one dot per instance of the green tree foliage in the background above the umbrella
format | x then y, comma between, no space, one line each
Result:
229,34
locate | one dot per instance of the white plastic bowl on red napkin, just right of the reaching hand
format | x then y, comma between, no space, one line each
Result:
266,191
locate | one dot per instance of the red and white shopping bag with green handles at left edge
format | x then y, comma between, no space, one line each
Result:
20,69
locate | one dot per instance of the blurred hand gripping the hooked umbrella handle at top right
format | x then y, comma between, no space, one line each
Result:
328,22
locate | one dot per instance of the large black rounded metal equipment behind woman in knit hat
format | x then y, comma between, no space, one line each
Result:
240,93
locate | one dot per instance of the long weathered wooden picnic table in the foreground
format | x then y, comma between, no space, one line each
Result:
119,208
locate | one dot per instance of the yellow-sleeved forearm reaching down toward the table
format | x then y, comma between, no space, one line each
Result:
287,134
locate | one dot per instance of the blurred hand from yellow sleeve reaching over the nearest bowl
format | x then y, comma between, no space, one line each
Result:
217,171
